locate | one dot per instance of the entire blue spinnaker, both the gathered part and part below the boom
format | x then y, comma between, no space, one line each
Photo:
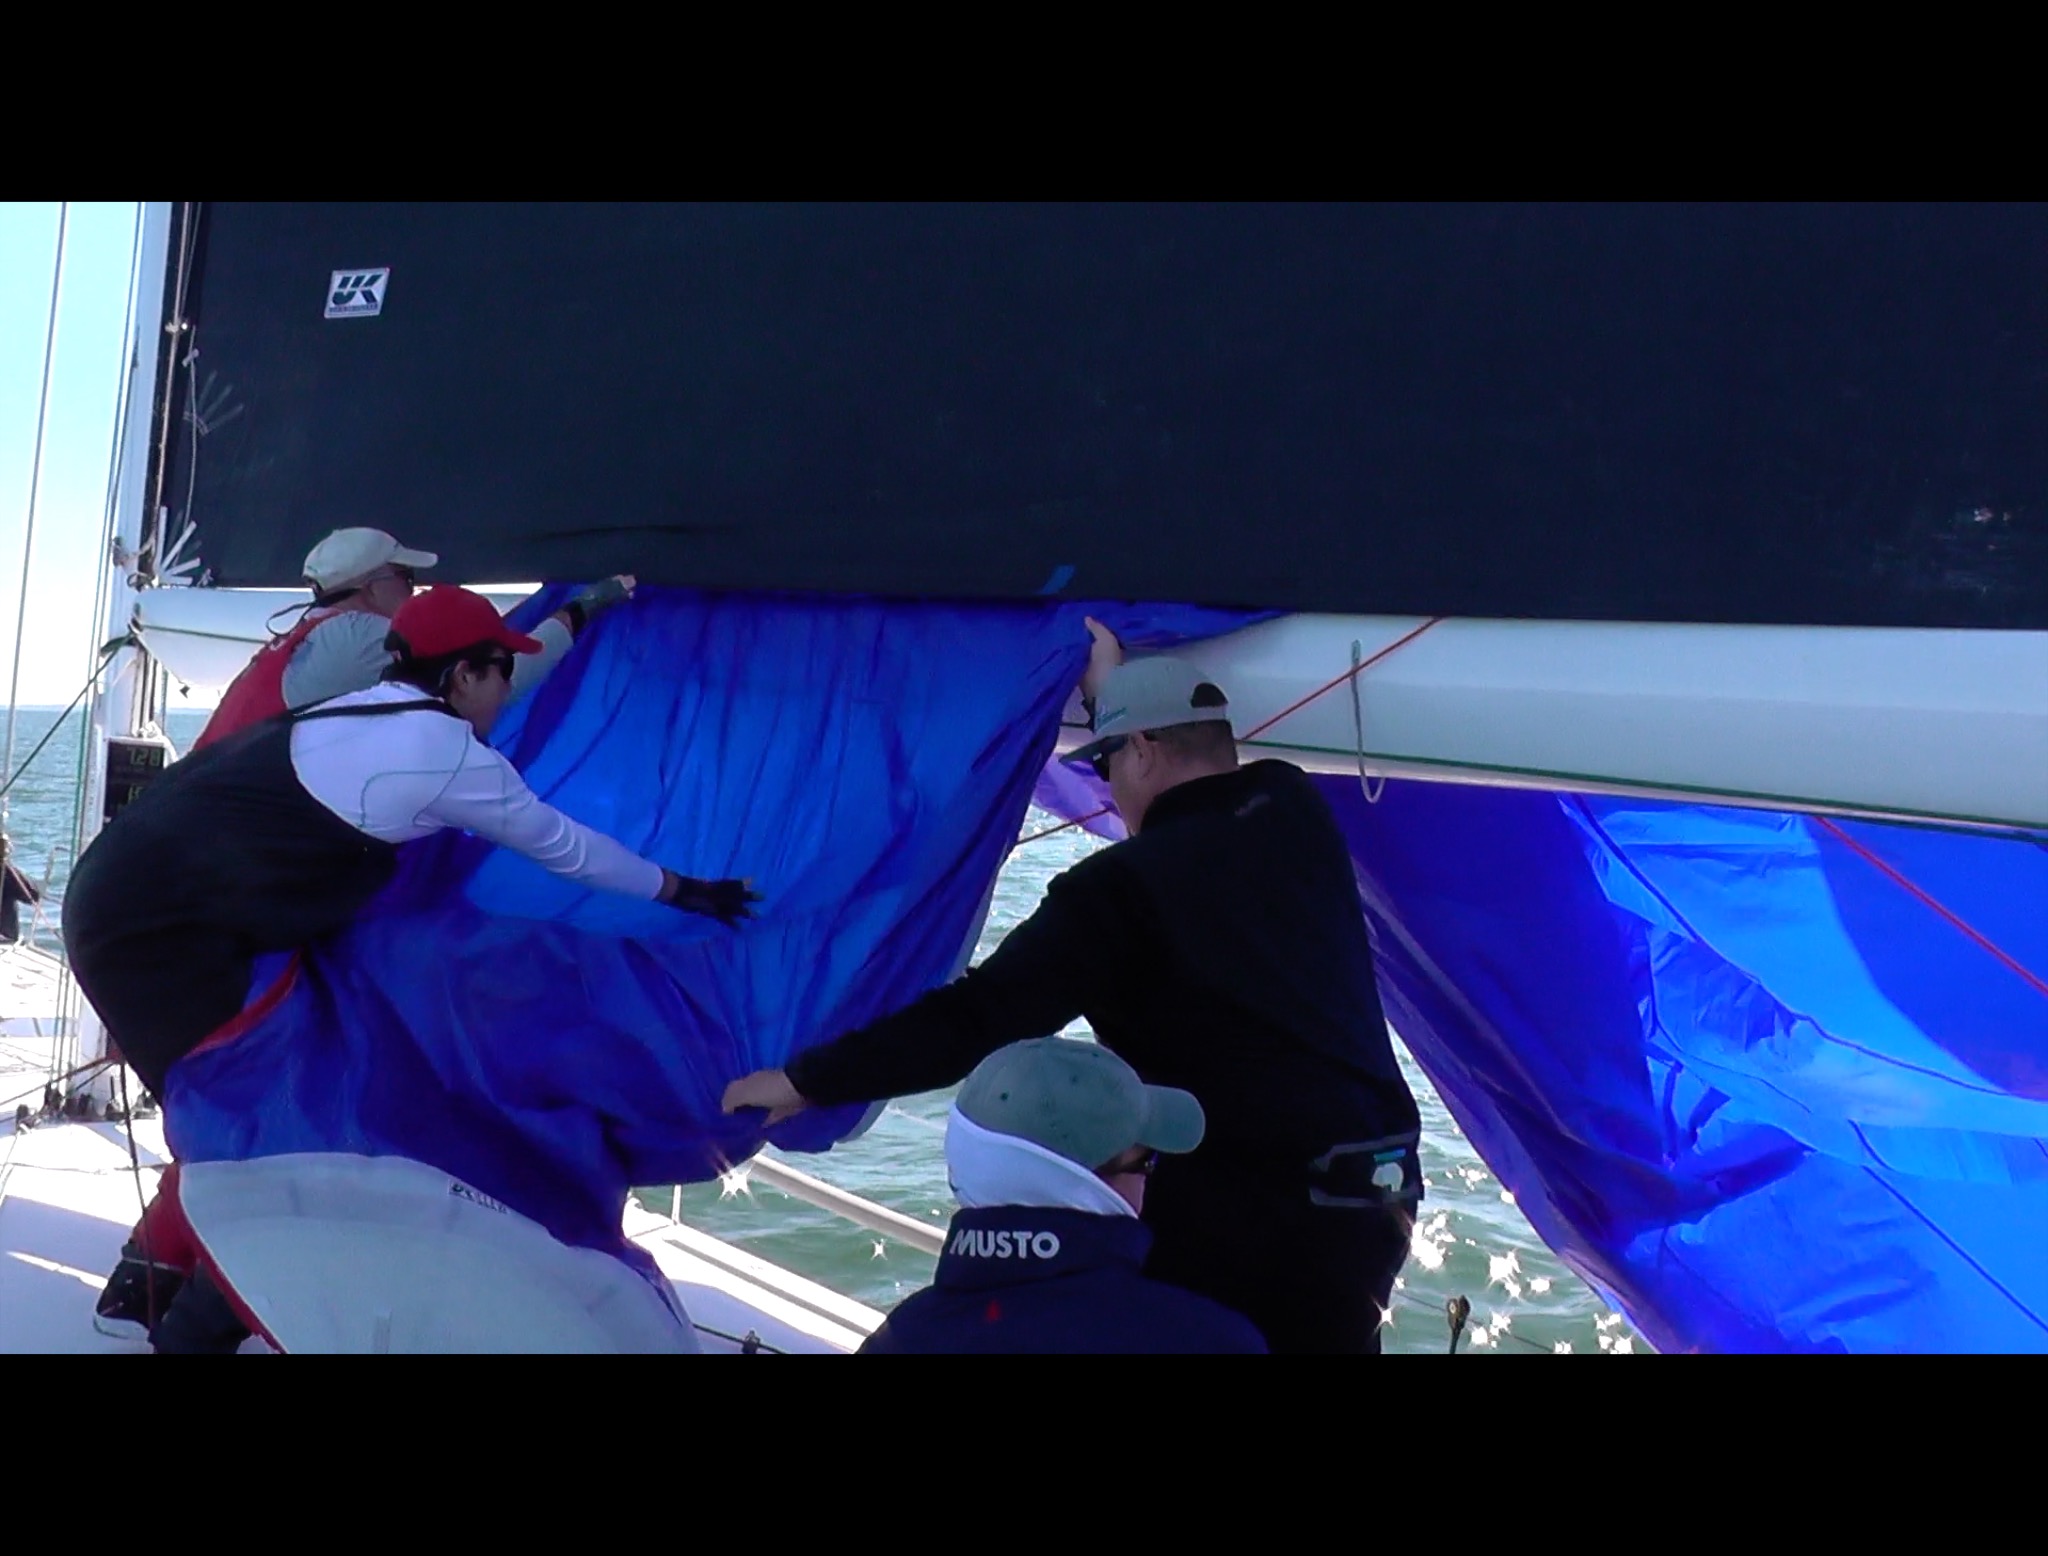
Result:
1773,1084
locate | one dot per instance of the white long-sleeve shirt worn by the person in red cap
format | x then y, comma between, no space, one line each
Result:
407,775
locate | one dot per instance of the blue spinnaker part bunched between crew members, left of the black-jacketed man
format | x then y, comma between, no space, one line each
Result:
867,765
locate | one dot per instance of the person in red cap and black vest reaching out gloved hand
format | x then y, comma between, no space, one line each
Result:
282,834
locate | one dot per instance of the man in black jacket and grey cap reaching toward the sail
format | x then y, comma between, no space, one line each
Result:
1222,949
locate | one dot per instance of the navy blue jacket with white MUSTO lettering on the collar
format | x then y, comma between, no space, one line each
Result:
1019,1281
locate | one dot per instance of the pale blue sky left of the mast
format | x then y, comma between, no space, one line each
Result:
85,384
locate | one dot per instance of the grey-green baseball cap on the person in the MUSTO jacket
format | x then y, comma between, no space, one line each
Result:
1078,1100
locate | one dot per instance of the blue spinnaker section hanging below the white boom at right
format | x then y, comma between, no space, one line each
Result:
1768,1082
